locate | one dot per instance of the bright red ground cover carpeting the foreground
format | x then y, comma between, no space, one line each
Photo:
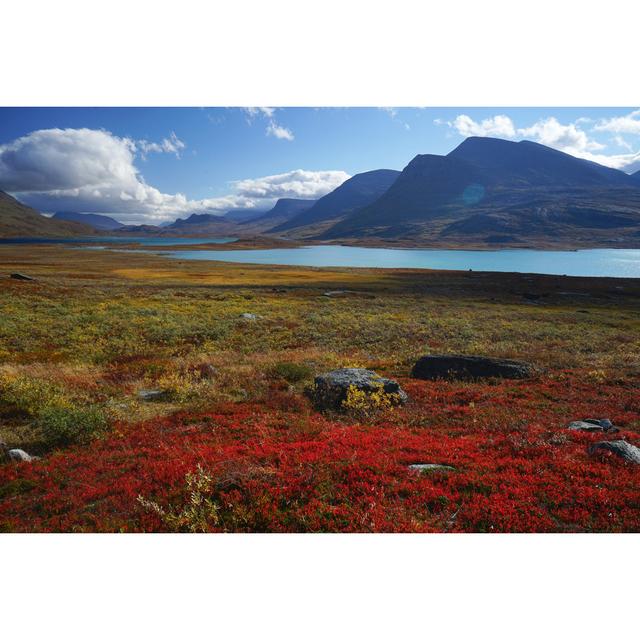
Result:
281,467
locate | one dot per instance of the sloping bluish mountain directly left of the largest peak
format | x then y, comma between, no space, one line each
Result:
356,192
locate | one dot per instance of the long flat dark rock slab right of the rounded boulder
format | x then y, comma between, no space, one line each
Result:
458,367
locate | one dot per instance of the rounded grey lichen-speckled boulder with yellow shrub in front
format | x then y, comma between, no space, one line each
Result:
330,389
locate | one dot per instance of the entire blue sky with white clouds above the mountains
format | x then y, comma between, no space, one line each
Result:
151,165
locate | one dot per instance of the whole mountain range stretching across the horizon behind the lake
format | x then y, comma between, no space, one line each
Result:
486,191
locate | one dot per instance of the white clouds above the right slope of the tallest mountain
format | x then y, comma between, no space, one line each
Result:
570,138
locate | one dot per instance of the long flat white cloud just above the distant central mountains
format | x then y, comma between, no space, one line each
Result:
293,184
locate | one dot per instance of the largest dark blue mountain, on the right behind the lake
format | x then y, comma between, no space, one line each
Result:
491,190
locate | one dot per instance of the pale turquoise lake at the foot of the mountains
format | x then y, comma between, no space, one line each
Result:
617,263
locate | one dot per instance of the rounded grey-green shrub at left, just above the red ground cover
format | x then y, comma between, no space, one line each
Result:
64,426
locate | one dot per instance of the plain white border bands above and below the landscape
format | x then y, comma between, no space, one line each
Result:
335,52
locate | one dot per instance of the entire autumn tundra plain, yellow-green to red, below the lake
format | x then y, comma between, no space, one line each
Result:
232,443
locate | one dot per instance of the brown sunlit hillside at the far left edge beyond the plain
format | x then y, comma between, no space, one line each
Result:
17,220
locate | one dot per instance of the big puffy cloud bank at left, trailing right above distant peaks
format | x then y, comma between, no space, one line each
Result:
93,171
